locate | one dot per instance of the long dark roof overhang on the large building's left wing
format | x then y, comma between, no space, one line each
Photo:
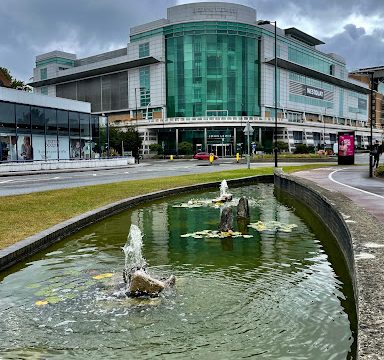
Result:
98,71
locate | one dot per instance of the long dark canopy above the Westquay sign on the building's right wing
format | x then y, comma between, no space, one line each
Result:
287,65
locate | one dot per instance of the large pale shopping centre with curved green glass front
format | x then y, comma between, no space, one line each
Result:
205,71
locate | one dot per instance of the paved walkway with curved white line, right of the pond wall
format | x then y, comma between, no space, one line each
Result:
354,182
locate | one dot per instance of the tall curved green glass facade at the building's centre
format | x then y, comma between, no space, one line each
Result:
212,68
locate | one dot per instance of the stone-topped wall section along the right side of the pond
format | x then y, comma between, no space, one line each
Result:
360,238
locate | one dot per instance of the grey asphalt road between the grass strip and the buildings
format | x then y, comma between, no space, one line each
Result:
29,183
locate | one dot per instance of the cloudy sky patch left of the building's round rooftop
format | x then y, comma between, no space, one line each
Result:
90,26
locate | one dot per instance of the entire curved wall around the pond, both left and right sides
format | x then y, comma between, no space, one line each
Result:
356,231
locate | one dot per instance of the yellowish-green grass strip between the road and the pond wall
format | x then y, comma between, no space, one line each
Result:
24,215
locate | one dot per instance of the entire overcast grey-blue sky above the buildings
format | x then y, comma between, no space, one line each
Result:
353,29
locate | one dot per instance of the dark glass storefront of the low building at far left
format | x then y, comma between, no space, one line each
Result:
30,133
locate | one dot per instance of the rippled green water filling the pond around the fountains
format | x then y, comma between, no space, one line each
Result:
272,296
